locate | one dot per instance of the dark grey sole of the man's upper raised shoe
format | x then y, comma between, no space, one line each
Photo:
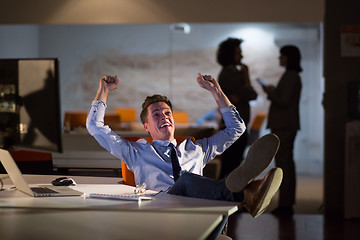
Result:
258,158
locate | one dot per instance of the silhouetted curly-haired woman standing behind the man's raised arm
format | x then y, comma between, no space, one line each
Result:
235,82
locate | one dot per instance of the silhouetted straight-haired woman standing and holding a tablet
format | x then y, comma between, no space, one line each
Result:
283,120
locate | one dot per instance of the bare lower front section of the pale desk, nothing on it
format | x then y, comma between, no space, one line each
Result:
50,224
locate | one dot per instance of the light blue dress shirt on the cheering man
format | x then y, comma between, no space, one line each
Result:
151,163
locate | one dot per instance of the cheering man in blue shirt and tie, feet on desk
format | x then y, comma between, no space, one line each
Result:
177,169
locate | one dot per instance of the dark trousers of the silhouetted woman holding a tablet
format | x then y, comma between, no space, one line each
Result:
284,159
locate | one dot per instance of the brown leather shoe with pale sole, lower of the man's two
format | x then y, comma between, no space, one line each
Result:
258,193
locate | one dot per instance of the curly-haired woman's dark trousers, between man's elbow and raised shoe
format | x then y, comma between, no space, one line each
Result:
234,155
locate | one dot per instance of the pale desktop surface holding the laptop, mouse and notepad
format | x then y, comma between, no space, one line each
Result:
161,202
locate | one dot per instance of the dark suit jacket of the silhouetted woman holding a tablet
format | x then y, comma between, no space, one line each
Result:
285,99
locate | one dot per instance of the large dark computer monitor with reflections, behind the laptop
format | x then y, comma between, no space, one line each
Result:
30,115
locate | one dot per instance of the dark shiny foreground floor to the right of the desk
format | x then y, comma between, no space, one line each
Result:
300,227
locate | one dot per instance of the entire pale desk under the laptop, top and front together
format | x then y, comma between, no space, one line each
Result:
165,217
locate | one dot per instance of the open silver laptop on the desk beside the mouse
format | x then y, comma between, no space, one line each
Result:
39,191
